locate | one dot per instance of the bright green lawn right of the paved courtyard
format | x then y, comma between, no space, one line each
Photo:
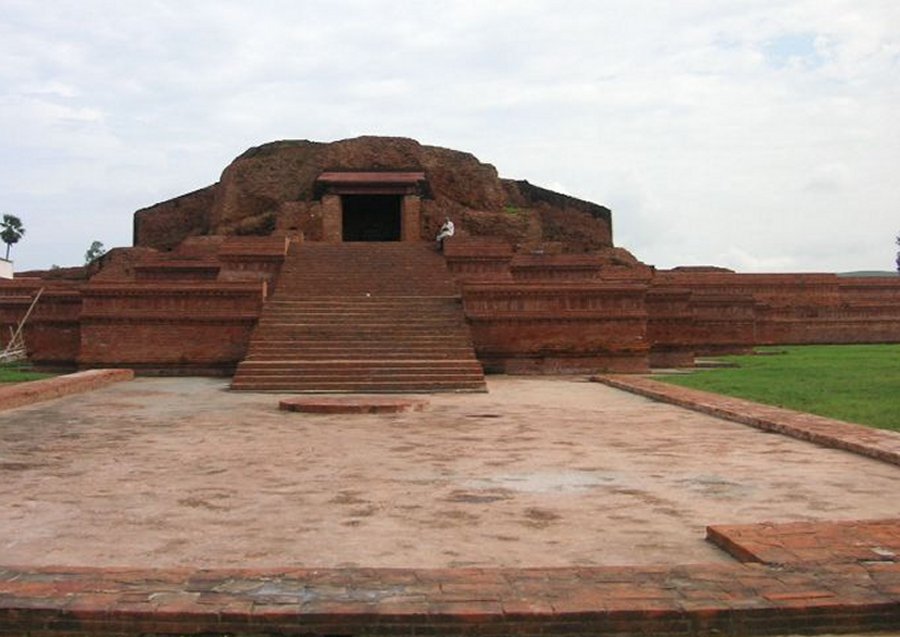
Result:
856,383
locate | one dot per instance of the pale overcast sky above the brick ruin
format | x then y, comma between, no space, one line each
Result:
761,135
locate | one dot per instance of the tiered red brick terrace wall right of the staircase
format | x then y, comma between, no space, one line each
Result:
567,312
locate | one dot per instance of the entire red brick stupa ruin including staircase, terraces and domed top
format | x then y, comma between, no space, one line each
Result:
311,267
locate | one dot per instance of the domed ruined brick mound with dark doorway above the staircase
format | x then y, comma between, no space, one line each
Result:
373,188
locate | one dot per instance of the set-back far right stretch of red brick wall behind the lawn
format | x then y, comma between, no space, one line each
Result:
731,312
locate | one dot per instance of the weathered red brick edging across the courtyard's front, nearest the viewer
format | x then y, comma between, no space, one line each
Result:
736,599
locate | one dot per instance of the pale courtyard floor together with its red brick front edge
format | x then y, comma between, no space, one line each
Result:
547,505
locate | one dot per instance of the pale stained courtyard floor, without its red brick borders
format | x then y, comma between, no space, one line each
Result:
538,472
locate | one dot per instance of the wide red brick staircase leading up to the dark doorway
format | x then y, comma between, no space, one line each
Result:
362,317
